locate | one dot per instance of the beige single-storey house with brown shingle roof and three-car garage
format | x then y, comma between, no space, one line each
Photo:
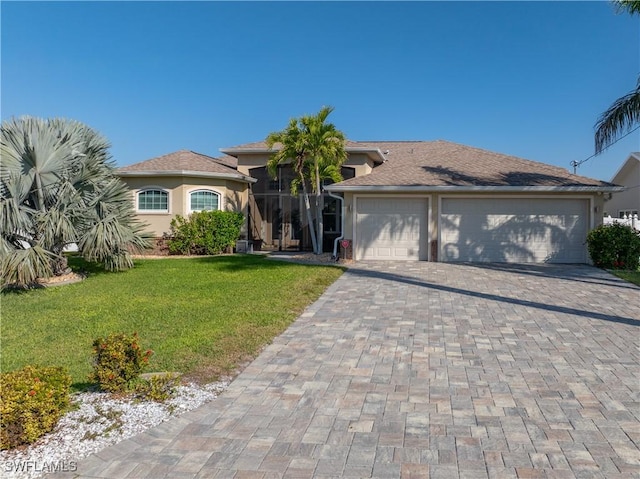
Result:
402,200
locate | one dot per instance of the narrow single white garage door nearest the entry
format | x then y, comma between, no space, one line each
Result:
391,228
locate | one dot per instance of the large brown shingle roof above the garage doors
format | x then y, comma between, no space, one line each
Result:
427,165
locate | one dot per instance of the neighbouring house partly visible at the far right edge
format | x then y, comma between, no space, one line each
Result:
626,203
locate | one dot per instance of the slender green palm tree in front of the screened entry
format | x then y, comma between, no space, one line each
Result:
316,150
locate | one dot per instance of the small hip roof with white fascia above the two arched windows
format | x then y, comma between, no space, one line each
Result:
186,163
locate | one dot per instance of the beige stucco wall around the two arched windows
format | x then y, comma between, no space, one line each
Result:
233,196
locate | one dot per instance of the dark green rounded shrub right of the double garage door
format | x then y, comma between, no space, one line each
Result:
614,246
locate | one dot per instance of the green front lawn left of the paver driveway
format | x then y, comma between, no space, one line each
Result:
202,317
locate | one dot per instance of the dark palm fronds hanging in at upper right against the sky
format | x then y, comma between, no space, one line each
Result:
624,114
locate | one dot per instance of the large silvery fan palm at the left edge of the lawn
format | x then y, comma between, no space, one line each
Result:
57,187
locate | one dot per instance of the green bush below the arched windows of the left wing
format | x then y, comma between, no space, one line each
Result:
205,232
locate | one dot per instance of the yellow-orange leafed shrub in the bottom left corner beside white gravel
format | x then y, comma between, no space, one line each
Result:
32,400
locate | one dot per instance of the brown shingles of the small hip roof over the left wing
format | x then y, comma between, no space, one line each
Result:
185,160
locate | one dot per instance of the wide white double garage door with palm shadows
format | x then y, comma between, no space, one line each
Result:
514,230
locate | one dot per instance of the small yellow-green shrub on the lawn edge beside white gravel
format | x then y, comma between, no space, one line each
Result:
117,362
